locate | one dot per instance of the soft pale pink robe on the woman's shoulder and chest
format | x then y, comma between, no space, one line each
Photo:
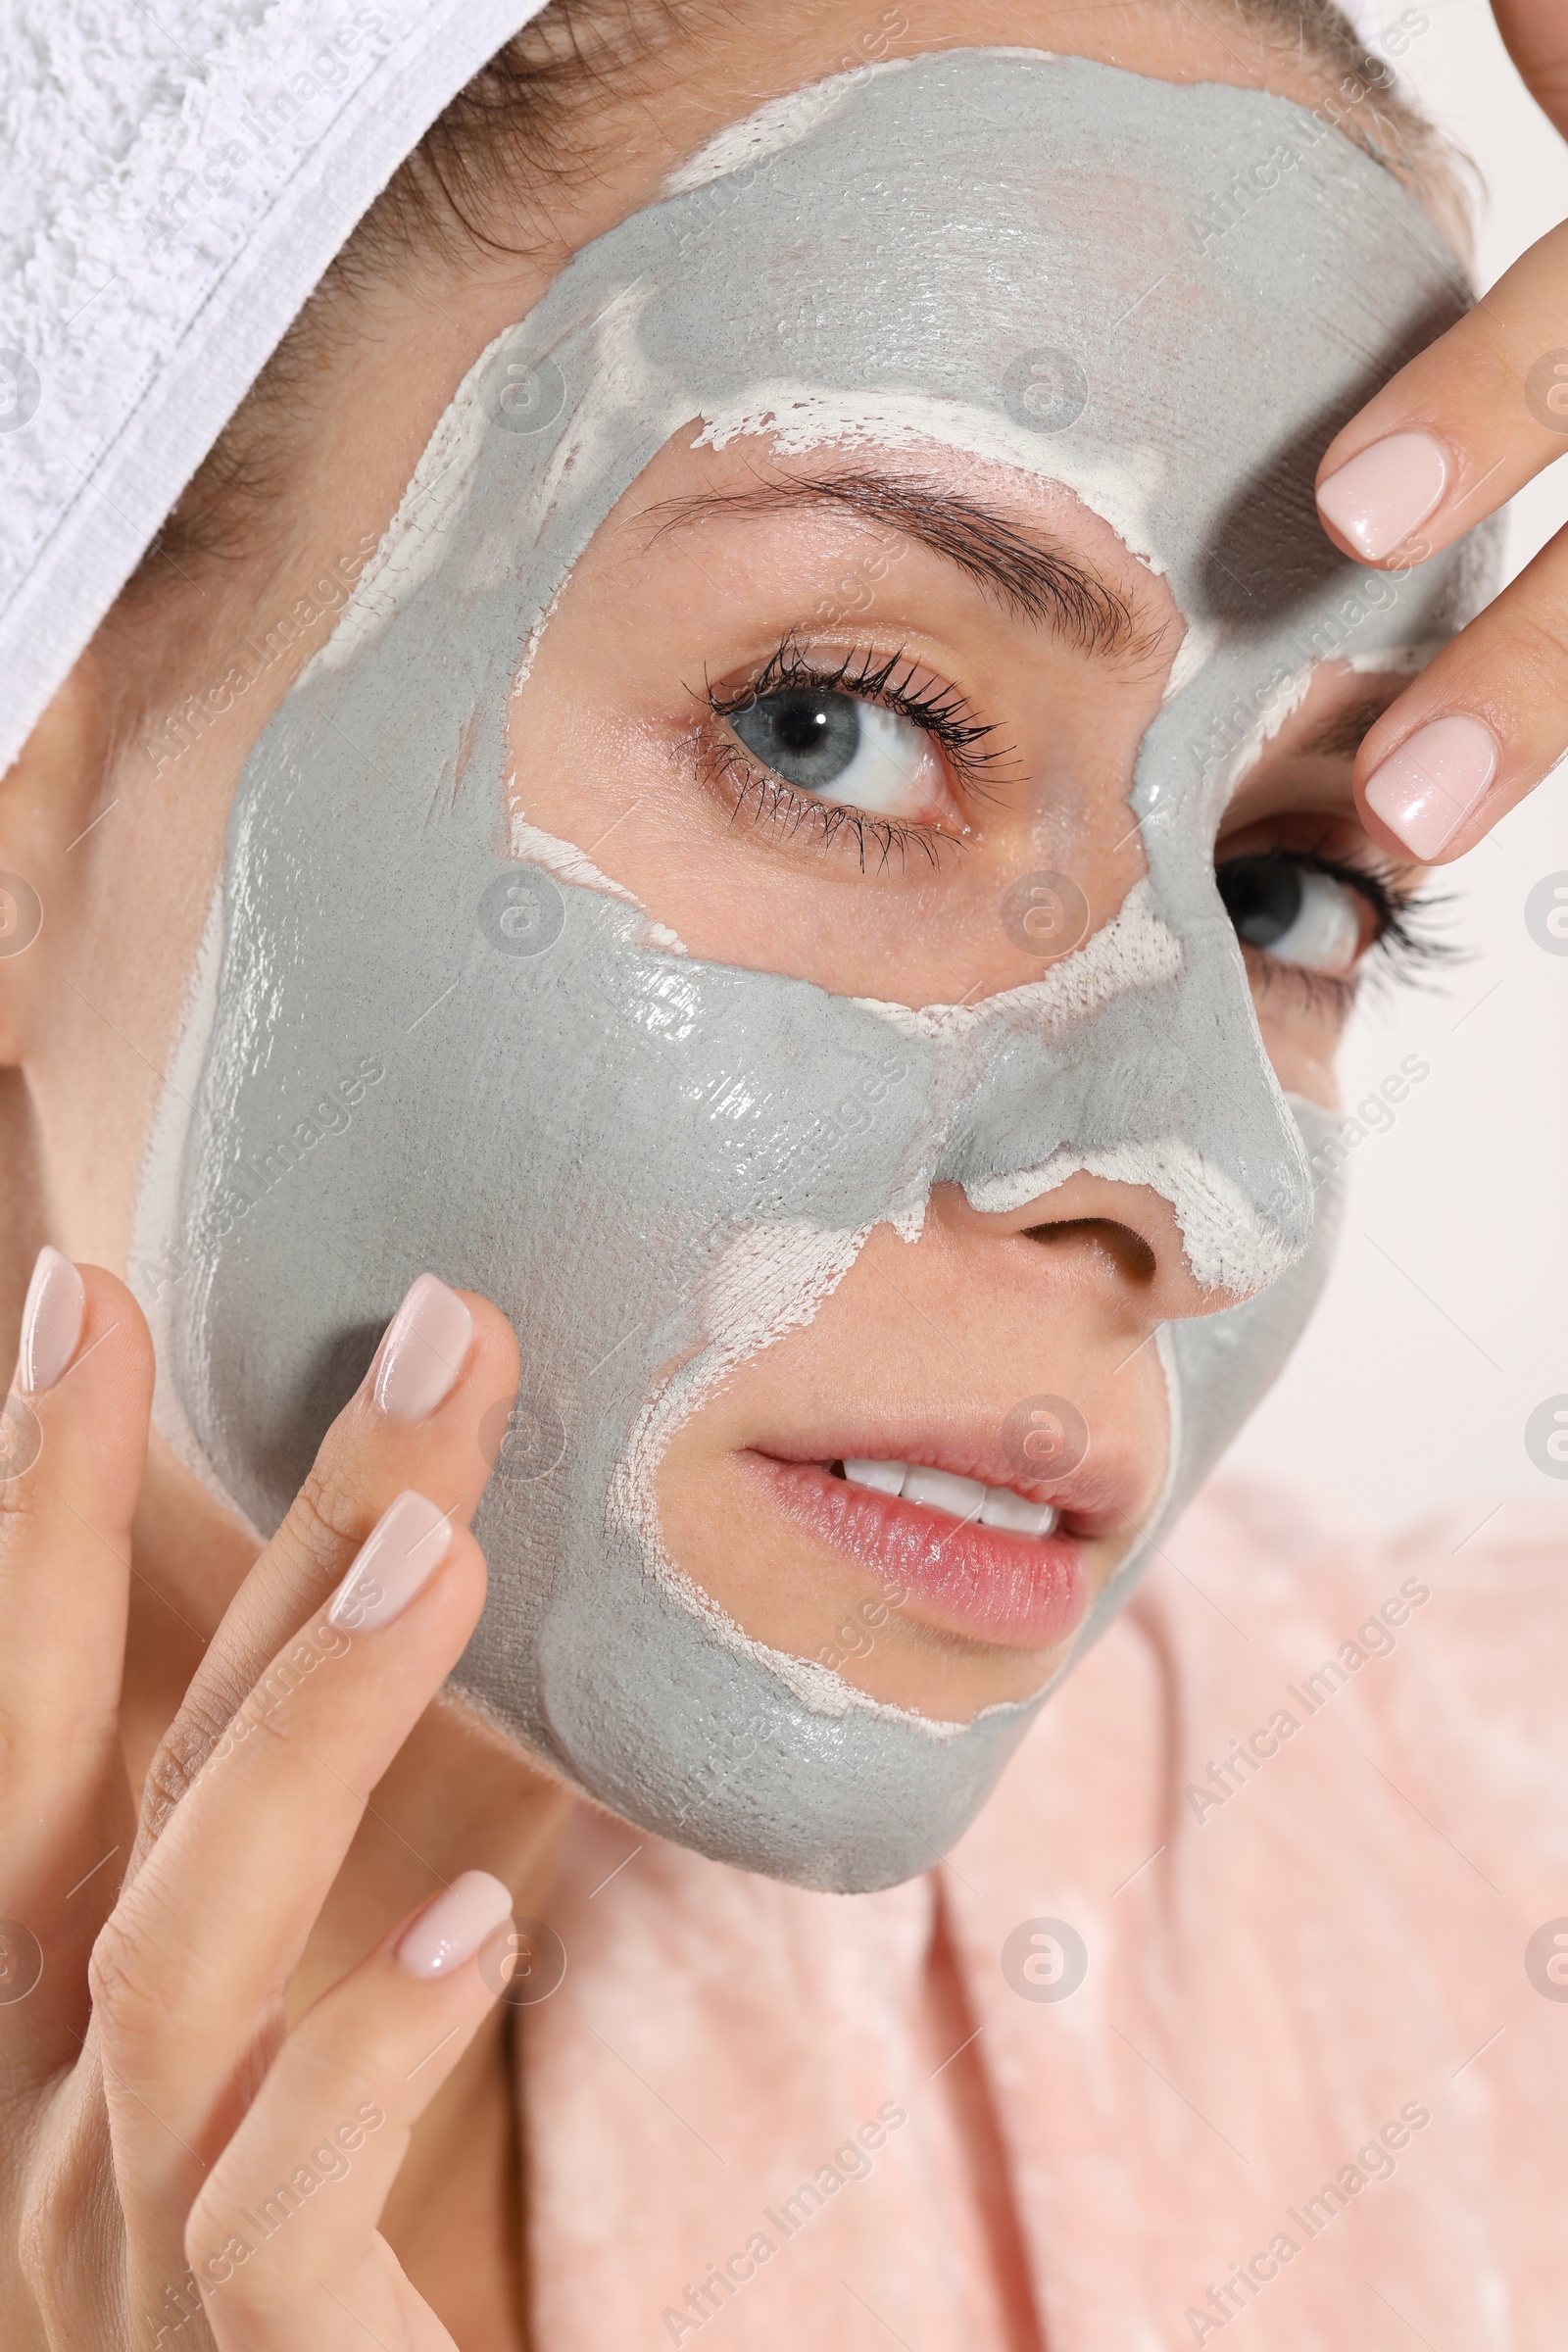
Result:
1311,2064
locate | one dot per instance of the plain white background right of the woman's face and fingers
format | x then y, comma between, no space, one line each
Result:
1447,1318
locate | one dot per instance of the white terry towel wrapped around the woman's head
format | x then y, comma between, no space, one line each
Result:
173,185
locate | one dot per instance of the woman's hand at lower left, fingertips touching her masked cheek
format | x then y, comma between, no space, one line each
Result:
177,2167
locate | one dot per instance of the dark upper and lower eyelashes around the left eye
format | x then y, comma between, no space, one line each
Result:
873,679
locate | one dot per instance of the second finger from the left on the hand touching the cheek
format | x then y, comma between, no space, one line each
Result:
443,1368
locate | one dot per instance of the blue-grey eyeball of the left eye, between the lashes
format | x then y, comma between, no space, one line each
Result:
843,749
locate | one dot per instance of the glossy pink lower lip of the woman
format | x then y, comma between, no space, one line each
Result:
984,1582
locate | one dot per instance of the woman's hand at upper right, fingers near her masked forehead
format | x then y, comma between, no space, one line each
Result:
1449,441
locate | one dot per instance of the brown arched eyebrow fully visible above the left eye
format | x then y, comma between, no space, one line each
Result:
1031,577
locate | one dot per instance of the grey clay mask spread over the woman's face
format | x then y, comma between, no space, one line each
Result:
429,1036
